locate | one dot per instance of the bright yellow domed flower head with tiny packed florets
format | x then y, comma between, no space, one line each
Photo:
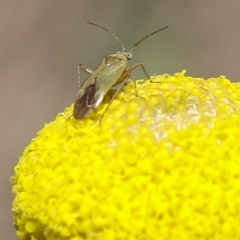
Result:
162,164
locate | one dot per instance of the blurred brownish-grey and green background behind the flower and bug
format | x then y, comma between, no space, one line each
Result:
42,43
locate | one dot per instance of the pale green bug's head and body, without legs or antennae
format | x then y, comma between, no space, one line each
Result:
110,72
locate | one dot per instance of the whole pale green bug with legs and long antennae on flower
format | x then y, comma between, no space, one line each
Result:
111,71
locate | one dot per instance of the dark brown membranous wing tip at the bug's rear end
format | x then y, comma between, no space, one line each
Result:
84,103
